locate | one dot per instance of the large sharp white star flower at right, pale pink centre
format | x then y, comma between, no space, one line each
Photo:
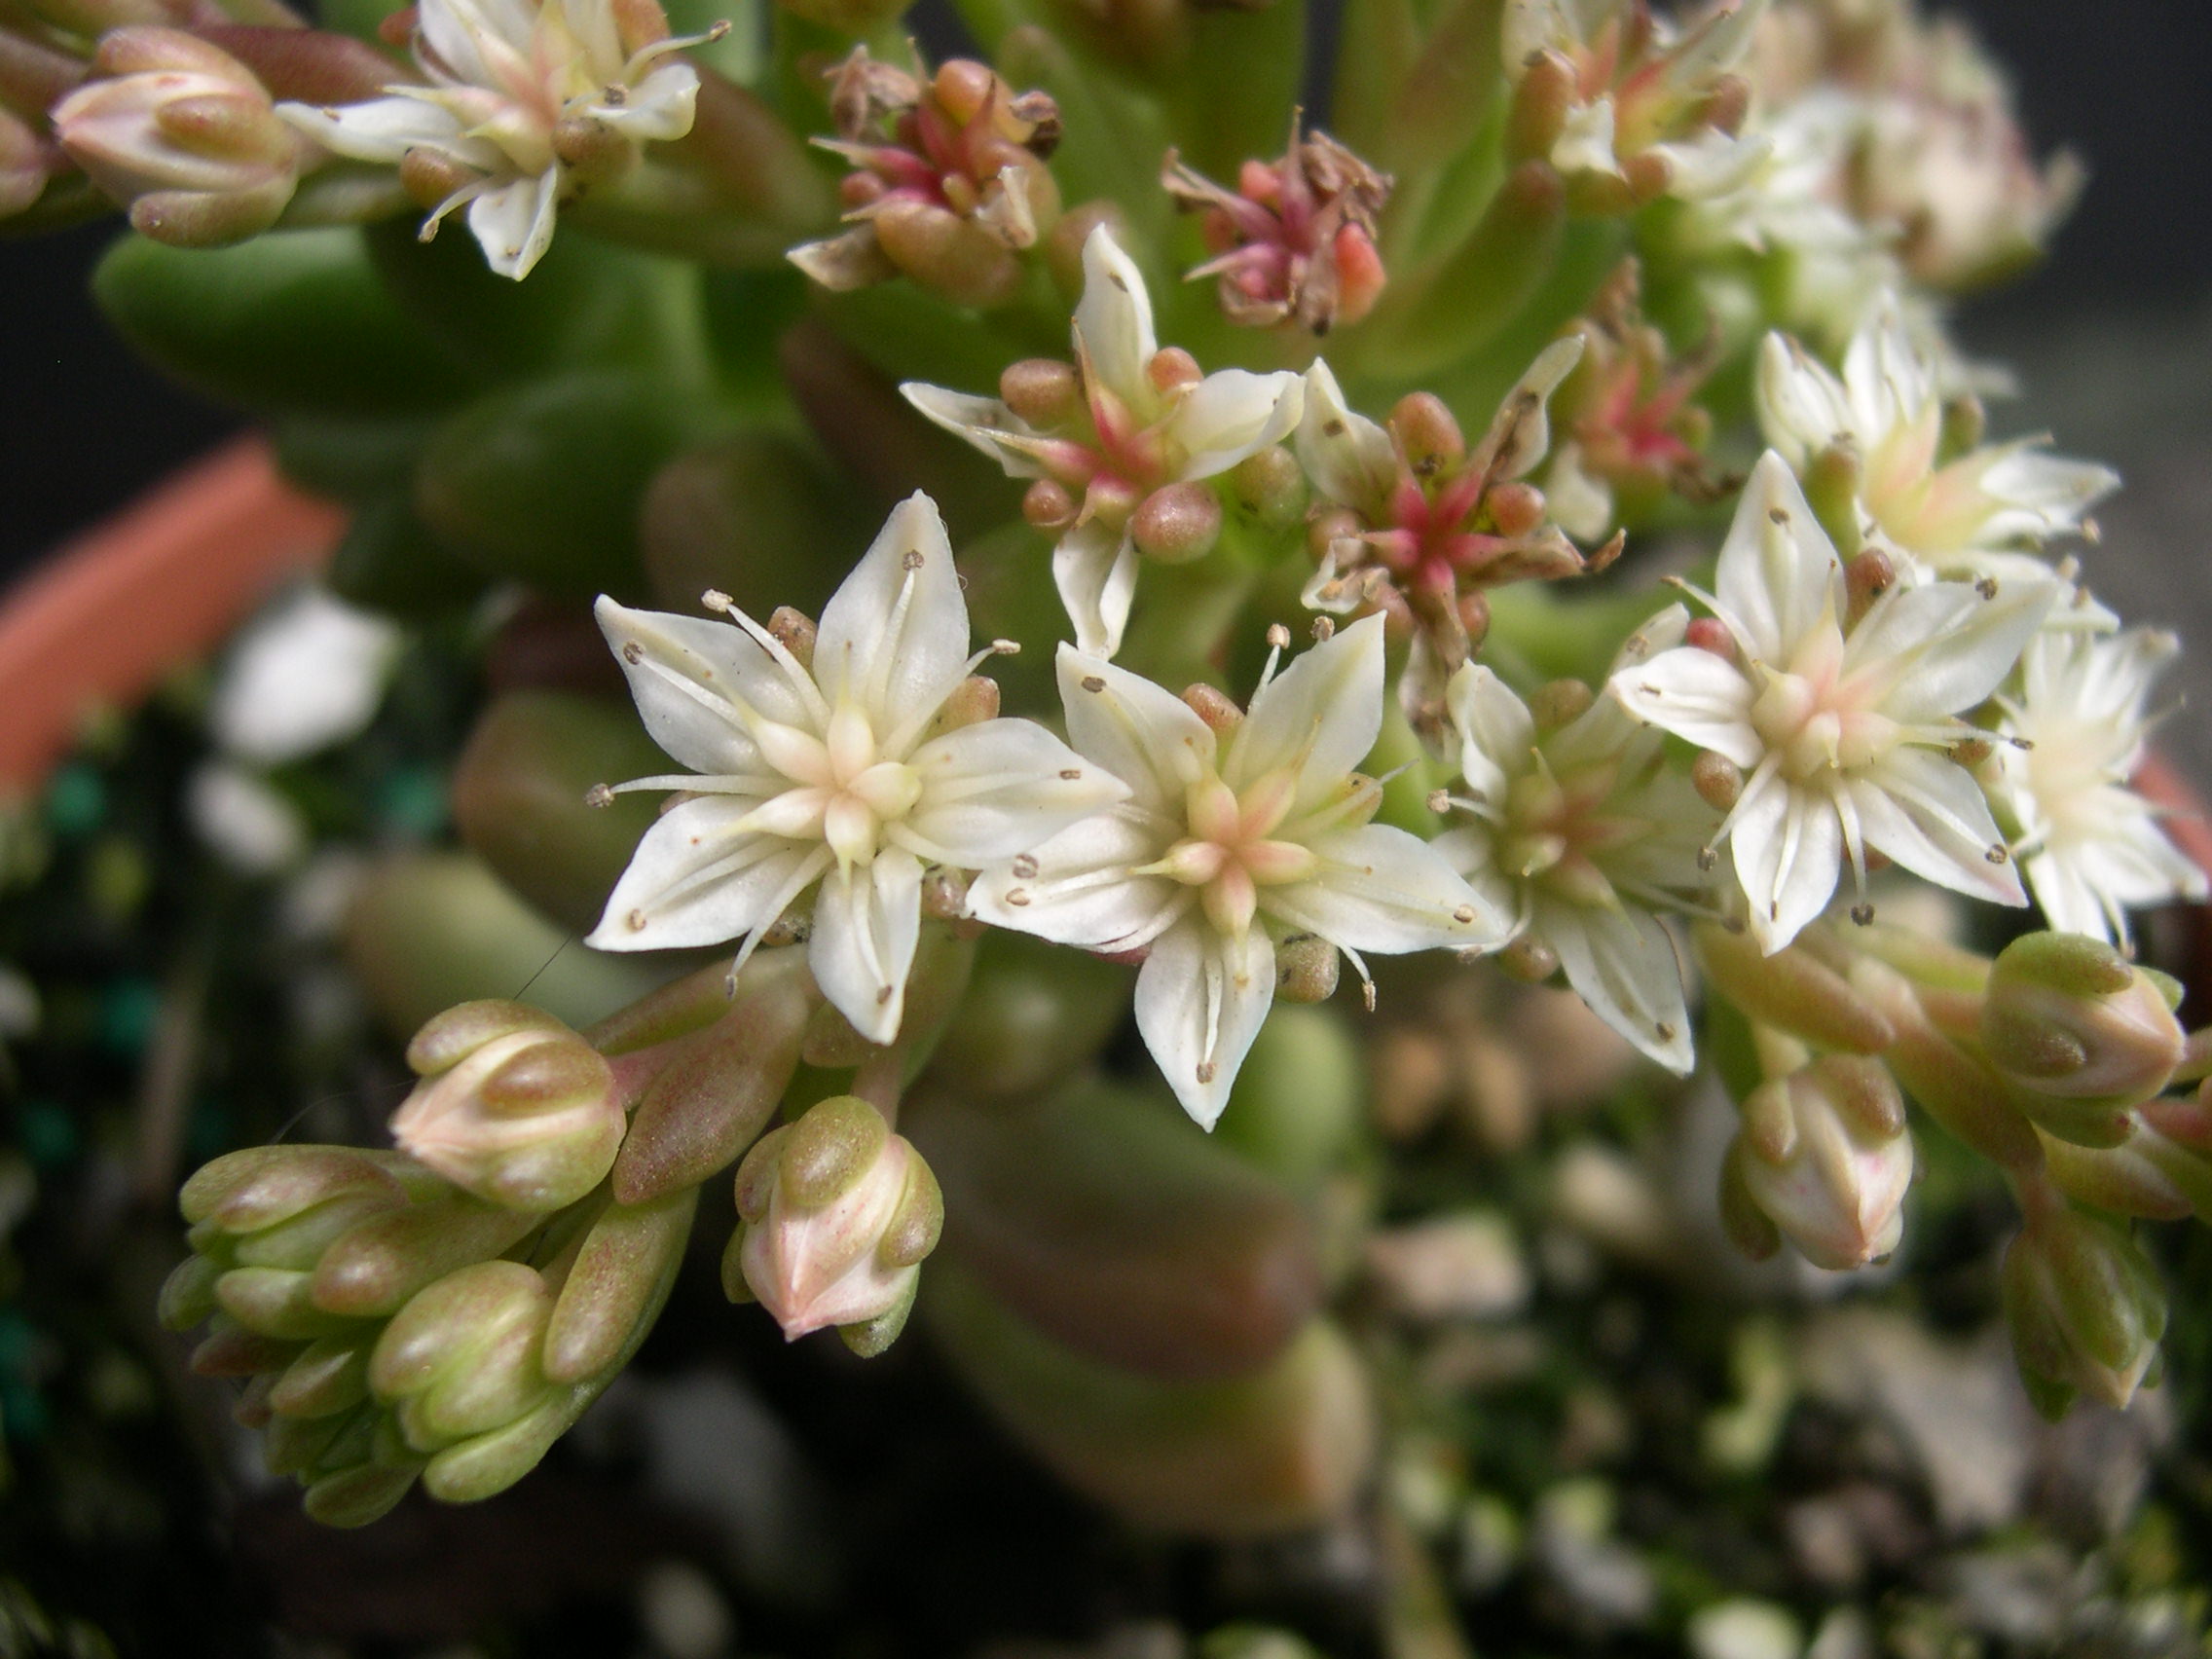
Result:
1841,733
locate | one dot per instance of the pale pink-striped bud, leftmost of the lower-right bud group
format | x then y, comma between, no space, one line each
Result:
1826,1158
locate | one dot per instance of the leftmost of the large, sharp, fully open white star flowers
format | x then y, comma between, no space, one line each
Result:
837,773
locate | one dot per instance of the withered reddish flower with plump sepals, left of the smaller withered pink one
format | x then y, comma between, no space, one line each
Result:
948,187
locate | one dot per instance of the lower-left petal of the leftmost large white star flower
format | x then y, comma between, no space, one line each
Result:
696,879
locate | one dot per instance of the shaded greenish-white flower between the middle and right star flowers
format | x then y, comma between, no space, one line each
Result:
1585,835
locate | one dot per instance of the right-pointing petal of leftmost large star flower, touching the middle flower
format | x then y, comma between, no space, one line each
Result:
999,789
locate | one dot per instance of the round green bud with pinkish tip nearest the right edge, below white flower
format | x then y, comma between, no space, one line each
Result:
2078,1030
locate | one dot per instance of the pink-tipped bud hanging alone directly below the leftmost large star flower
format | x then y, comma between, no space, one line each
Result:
837,1215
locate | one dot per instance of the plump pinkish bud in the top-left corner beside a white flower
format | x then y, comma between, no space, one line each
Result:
185,136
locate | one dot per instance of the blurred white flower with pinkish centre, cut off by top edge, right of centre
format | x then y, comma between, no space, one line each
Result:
1625,105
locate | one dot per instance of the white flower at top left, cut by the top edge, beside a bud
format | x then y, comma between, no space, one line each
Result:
525,103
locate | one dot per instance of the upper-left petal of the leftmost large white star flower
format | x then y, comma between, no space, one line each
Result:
685,676
